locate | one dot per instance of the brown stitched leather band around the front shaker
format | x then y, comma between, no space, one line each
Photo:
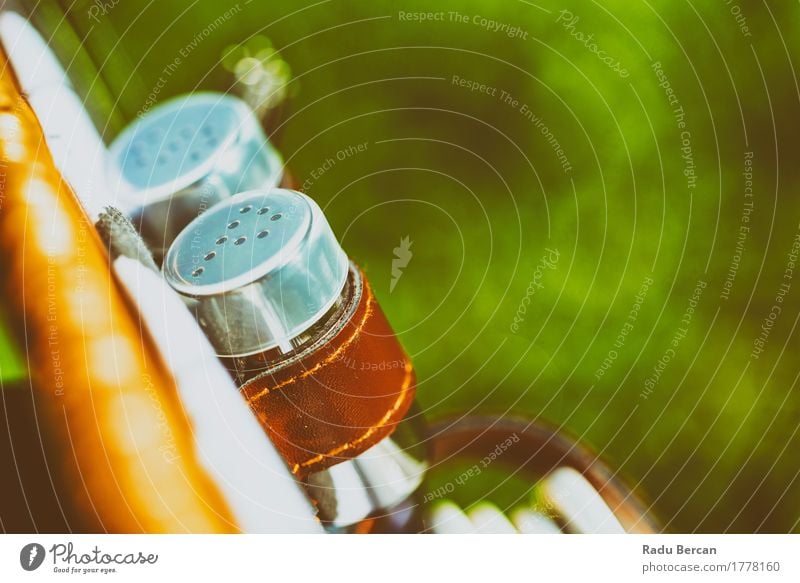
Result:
341,395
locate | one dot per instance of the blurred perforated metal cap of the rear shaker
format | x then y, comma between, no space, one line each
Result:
185,155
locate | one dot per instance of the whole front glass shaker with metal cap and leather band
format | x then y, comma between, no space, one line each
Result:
299,328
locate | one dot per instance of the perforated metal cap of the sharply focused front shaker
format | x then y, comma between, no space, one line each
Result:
259,269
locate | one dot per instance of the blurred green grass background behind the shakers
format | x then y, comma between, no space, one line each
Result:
481,193
